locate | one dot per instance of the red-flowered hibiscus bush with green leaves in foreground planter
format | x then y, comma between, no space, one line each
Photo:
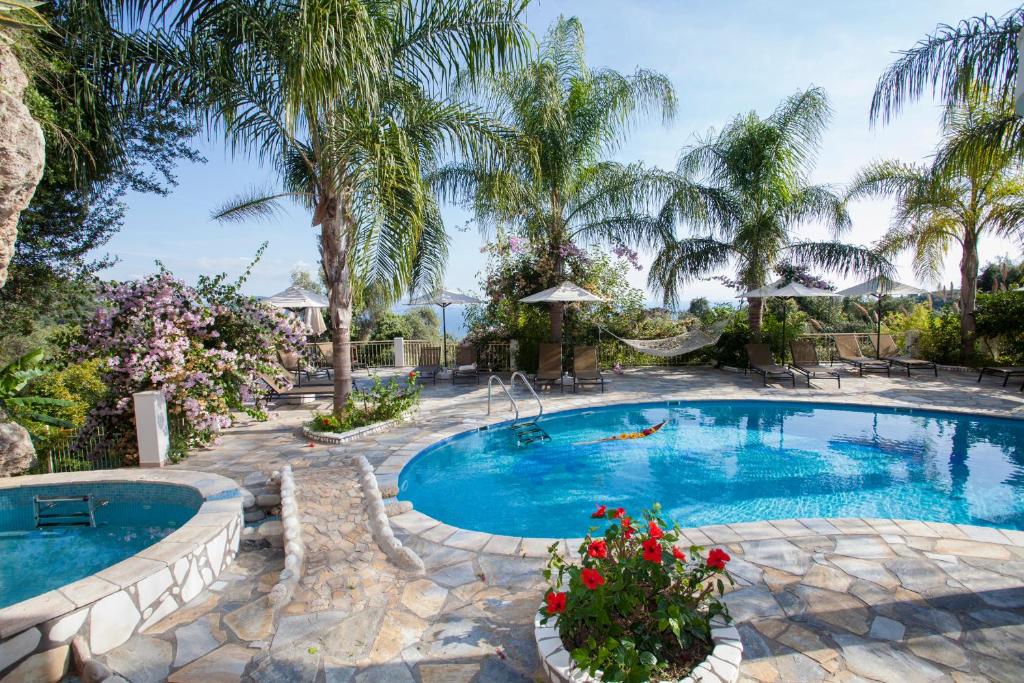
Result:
638,606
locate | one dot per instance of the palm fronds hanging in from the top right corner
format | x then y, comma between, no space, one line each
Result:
976,58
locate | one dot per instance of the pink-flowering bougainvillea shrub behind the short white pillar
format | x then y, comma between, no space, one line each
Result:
202,348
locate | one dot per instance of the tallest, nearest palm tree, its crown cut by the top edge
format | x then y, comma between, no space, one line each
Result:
350,102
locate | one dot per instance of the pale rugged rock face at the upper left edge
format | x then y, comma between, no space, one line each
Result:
22,152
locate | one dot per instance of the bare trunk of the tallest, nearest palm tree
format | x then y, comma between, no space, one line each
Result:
335,245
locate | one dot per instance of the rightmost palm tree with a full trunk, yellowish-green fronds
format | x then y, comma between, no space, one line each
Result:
943,205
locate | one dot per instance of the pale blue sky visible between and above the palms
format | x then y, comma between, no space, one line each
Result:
724,59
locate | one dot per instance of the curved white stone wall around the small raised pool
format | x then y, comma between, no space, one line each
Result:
106,610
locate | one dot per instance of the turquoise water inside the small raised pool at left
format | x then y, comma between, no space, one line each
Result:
130,518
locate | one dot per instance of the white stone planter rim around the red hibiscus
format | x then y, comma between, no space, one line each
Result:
722,666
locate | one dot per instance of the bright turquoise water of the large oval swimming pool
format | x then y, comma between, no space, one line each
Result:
721,462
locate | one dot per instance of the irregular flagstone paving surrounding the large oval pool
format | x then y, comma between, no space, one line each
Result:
850,601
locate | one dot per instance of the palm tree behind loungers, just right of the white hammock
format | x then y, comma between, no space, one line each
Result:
743,191
